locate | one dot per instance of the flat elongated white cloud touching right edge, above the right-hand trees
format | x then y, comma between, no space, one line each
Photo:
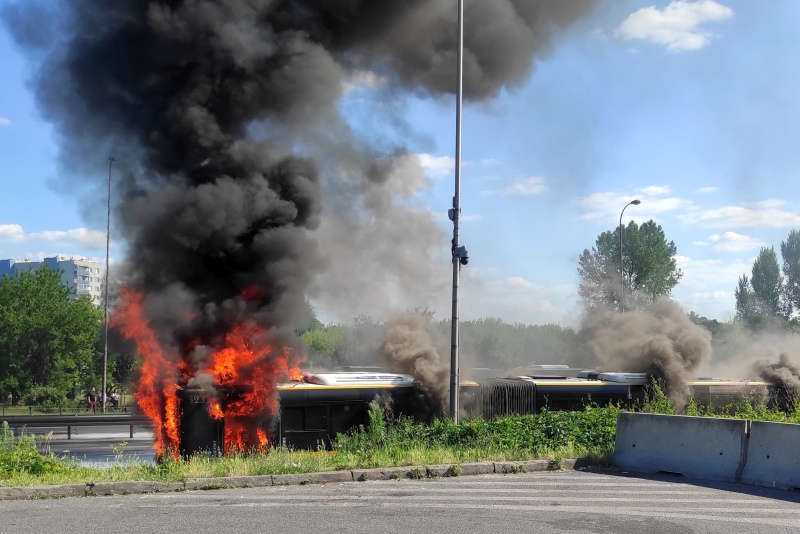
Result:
758,214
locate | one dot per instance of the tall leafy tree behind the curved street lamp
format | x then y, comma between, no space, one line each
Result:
649,270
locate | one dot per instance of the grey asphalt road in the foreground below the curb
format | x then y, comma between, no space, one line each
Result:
564,502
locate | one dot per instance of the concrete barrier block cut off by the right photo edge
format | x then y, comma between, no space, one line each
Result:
773,456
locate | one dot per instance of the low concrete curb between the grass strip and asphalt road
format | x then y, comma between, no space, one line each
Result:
413,472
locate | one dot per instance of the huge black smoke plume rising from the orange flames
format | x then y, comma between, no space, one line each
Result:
220,112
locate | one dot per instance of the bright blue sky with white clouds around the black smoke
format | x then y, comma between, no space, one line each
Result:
690,107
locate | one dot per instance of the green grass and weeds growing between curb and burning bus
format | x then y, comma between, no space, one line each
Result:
547,435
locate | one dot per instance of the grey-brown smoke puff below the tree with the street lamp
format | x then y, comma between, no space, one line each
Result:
660,341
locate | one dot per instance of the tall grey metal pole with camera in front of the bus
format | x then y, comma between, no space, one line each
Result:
454,382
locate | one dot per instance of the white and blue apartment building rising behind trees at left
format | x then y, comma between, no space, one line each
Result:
82,276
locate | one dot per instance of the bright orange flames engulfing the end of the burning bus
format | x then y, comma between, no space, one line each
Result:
245,369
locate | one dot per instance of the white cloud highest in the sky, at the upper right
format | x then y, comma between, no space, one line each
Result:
677,26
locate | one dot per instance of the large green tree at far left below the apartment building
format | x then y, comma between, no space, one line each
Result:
47,337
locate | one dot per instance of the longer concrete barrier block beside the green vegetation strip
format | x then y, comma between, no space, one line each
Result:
696,447
